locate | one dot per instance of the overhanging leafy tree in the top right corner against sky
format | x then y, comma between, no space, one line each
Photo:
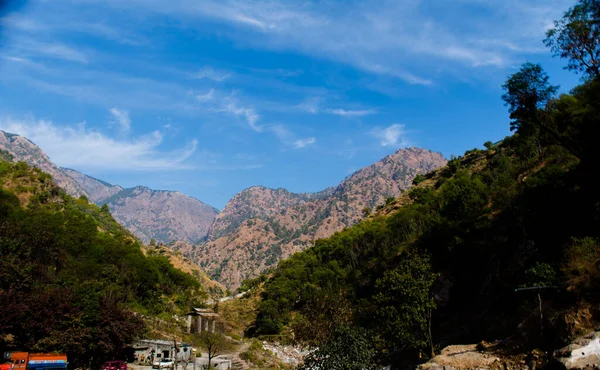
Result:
576,37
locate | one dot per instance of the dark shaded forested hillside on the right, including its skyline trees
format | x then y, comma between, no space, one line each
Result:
446,261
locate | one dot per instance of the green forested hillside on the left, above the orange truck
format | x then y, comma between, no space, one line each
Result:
71,278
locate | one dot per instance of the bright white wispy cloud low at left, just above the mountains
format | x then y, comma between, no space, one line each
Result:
78,146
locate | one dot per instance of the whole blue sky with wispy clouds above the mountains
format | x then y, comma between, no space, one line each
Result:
209,97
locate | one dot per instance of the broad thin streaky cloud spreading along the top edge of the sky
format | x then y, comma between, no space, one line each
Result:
405,39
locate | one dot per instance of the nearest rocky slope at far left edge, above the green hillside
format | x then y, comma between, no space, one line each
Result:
24,150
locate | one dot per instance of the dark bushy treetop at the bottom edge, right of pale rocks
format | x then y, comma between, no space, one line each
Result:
347,349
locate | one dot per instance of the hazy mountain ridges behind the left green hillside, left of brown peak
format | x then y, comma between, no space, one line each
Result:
163,215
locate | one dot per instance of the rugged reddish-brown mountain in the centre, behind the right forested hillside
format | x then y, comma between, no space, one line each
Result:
260,226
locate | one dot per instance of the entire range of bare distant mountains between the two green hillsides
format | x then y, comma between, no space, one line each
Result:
257,228
